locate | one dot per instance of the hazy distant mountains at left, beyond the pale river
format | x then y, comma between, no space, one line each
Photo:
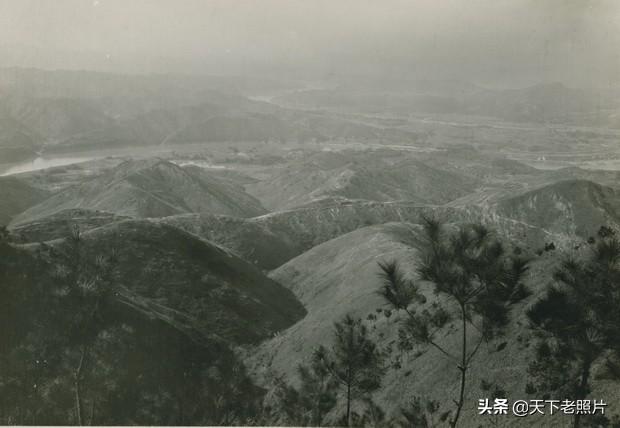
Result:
70,110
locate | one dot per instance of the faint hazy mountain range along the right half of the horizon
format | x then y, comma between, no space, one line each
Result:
549,102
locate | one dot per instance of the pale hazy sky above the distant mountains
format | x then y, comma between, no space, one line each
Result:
493,42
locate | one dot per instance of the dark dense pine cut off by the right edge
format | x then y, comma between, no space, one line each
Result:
578,322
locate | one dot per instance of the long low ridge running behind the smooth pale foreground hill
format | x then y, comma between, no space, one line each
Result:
272,239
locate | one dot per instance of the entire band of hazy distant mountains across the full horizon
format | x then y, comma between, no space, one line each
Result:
72,110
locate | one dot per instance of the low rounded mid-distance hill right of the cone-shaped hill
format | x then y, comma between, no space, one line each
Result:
358,176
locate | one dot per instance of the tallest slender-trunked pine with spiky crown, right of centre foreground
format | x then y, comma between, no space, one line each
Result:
479,281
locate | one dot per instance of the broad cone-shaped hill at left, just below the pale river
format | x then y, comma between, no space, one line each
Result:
150,188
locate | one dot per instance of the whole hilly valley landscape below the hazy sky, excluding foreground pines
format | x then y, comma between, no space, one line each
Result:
242,227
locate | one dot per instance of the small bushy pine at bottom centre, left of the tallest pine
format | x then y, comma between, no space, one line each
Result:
353,361
